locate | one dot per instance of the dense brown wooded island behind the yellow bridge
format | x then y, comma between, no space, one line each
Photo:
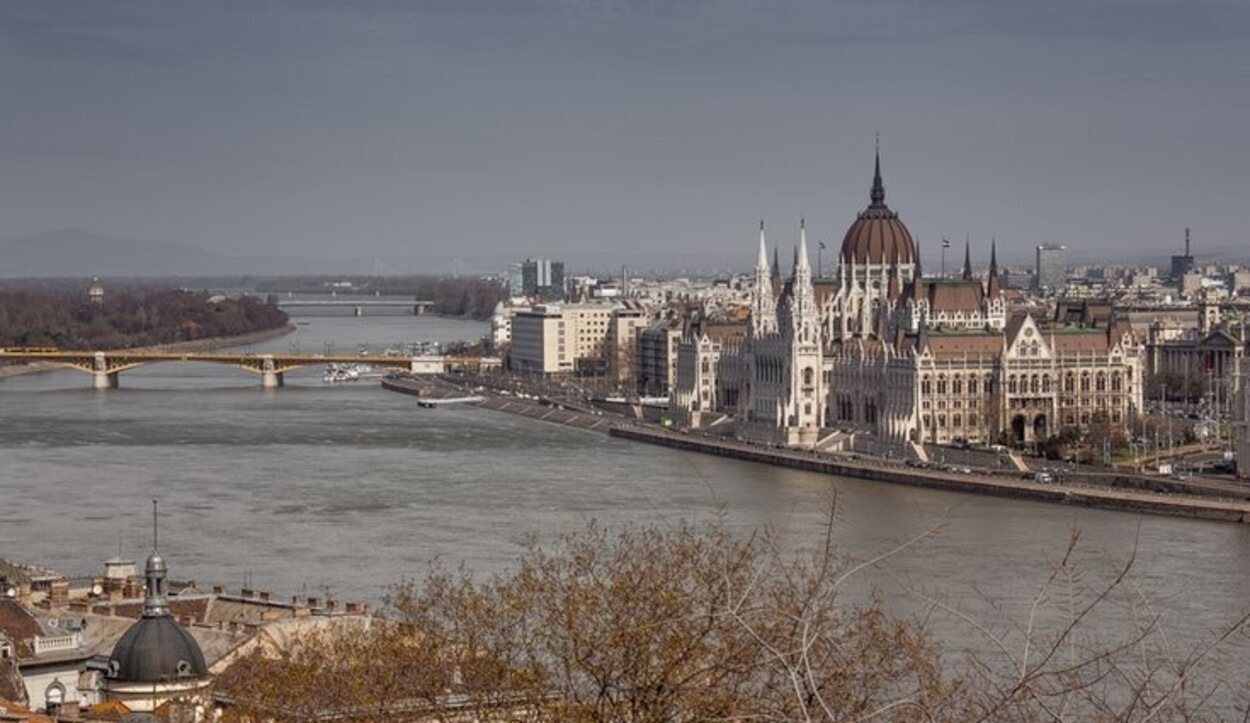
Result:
31,318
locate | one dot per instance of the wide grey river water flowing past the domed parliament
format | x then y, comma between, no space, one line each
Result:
318,488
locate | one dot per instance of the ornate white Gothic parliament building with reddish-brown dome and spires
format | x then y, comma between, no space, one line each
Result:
882,350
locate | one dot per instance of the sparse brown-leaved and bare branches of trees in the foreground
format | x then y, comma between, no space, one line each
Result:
696,624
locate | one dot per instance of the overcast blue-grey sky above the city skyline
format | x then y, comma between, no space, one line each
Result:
629,129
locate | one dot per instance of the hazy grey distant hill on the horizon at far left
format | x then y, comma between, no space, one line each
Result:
77,253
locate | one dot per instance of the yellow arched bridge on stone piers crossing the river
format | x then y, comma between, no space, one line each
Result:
106,367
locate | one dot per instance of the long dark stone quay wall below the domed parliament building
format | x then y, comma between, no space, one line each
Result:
1133,501
